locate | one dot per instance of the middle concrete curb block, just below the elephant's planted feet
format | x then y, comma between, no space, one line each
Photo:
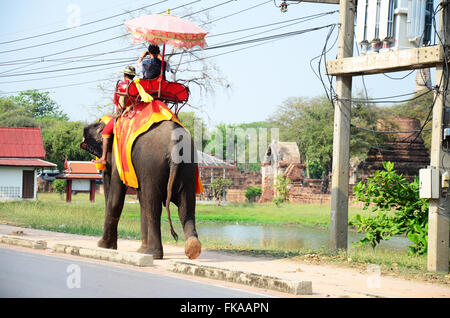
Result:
130,258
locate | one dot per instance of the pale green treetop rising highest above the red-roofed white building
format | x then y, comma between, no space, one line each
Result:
39,105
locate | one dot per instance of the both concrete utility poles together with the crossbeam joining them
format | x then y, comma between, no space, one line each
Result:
344,67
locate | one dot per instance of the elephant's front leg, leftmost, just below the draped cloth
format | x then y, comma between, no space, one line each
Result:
114,206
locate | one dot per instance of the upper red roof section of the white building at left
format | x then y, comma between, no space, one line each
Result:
21,142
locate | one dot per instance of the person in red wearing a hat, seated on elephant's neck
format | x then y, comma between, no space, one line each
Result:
128,75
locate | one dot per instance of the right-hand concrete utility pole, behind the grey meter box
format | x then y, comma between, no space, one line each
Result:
438,213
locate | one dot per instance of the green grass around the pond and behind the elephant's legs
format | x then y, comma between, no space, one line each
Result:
51,212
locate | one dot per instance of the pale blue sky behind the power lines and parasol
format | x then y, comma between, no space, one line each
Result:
260,76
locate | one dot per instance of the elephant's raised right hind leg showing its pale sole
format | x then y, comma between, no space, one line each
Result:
186,213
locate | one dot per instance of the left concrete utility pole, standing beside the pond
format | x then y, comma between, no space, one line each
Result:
341,137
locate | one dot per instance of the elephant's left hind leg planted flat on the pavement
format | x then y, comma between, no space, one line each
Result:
151,208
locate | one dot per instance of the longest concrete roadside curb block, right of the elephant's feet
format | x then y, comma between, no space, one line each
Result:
246,278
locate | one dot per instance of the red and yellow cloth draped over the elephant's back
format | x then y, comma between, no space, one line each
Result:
130,126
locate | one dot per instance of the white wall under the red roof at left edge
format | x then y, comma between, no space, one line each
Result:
11,183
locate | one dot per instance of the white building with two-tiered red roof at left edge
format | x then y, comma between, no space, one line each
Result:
21,155
